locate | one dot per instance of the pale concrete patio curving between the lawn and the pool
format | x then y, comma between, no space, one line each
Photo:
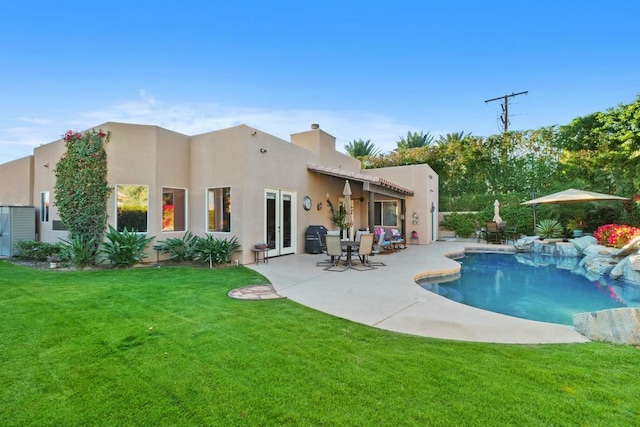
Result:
389,298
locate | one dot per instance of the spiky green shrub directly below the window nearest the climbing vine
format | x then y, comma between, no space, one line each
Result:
125,248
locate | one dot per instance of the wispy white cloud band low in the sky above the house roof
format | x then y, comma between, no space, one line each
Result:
195,118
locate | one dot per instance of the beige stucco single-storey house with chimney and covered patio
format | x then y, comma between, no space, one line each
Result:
236,182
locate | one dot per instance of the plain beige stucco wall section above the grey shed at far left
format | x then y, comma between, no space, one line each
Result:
16,182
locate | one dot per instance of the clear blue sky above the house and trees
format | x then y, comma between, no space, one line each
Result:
361,69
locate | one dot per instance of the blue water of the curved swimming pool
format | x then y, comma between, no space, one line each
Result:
533,287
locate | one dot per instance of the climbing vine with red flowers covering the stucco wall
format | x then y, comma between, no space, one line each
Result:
81,189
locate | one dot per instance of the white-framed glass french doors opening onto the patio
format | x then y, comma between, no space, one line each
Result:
280,221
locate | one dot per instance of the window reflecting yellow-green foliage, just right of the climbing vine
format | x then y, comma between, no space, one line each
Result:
132,207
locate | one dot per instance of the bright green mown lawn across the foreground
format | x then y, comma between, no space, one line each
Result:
168,347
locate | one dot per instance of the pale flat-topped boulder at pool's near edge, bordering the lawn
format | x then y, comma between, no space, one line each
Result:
618,325
